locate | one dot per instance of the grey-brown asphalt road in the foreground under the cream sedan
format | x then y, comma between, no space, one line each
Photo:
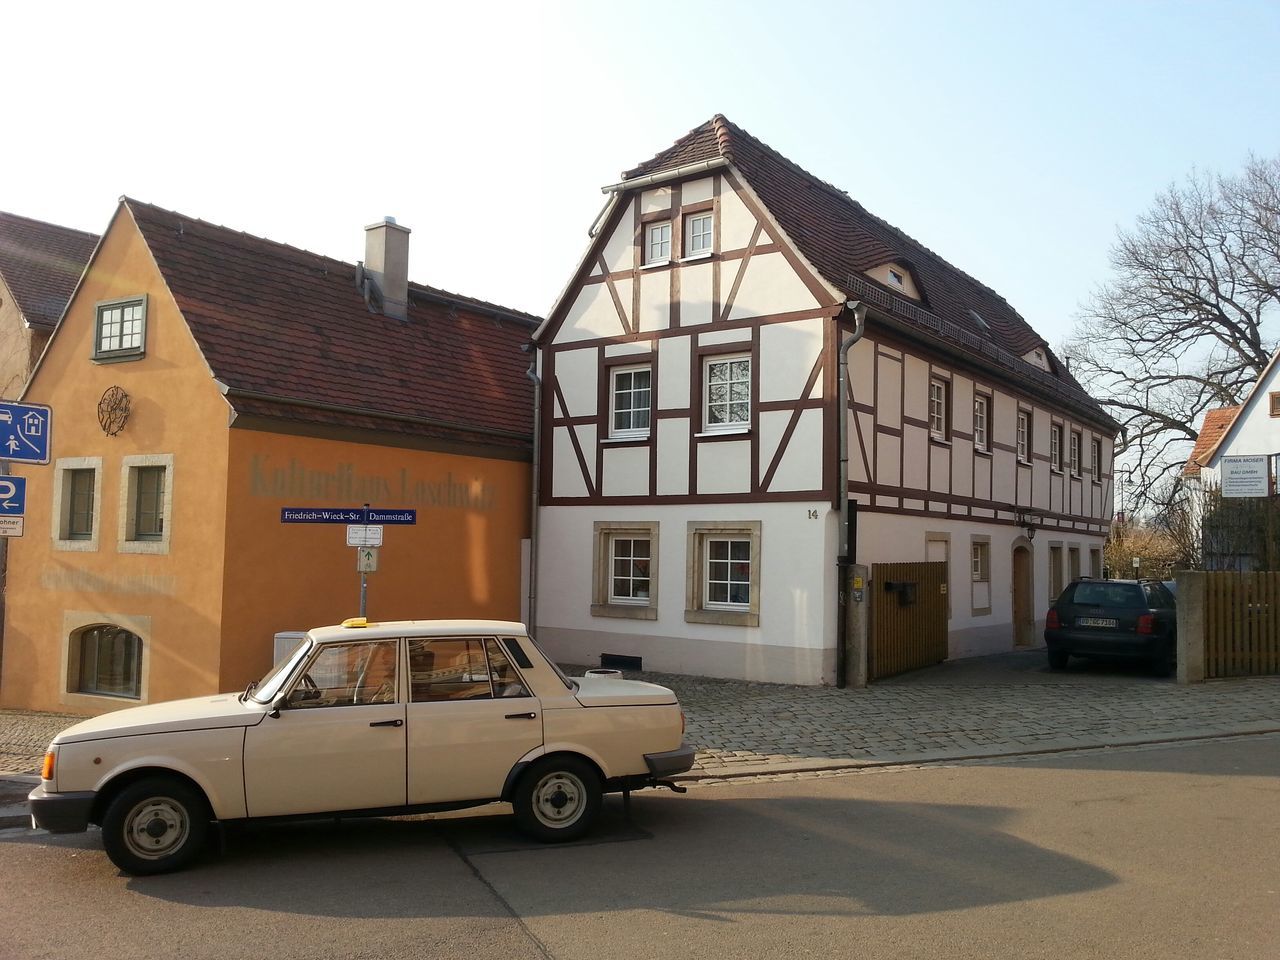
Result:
1167,853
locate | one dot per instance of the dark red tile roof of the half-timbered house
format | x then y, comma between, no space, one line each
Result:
843,240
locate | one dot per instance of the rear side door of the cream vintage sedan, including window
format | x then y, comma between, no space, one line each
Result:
470,719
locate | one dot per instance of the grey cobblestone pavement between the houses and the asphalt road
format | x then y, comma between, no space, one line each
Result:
1000,706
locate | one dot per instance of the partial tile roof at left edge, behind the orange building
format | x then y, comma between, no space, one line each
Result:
42,263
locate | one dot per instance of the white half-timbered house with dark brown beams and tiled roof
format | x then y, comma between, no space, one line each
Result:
691,415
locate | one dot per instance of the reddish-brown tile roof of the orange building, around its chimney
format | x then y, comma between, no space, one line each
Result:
291,336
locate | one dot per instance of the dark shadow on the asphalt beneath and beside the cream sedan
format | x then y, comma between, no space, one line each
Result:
693,856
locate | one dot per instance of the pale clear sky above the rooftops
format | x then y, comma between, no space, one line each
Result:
1013,139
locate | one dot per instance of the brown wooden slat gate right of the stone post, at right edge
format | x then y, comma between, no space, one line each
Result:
1242,624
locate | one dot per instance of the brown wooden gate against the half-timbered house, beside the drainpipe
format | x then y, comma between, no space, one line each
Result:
909,618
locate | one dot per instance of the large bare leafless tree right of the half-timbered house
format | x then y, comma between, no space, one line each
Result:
1186,323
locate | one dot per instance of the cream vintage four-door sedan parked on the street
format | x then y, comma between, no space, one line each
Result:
365,720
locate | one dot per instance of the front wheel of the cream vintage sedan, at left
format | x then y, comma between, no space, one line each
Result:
156,826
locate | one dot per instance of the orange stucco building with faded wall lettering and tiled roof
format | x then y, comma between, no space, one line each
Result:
203,381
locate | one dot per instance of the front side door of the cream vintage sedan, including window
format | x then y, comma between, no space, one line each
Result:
340,740
